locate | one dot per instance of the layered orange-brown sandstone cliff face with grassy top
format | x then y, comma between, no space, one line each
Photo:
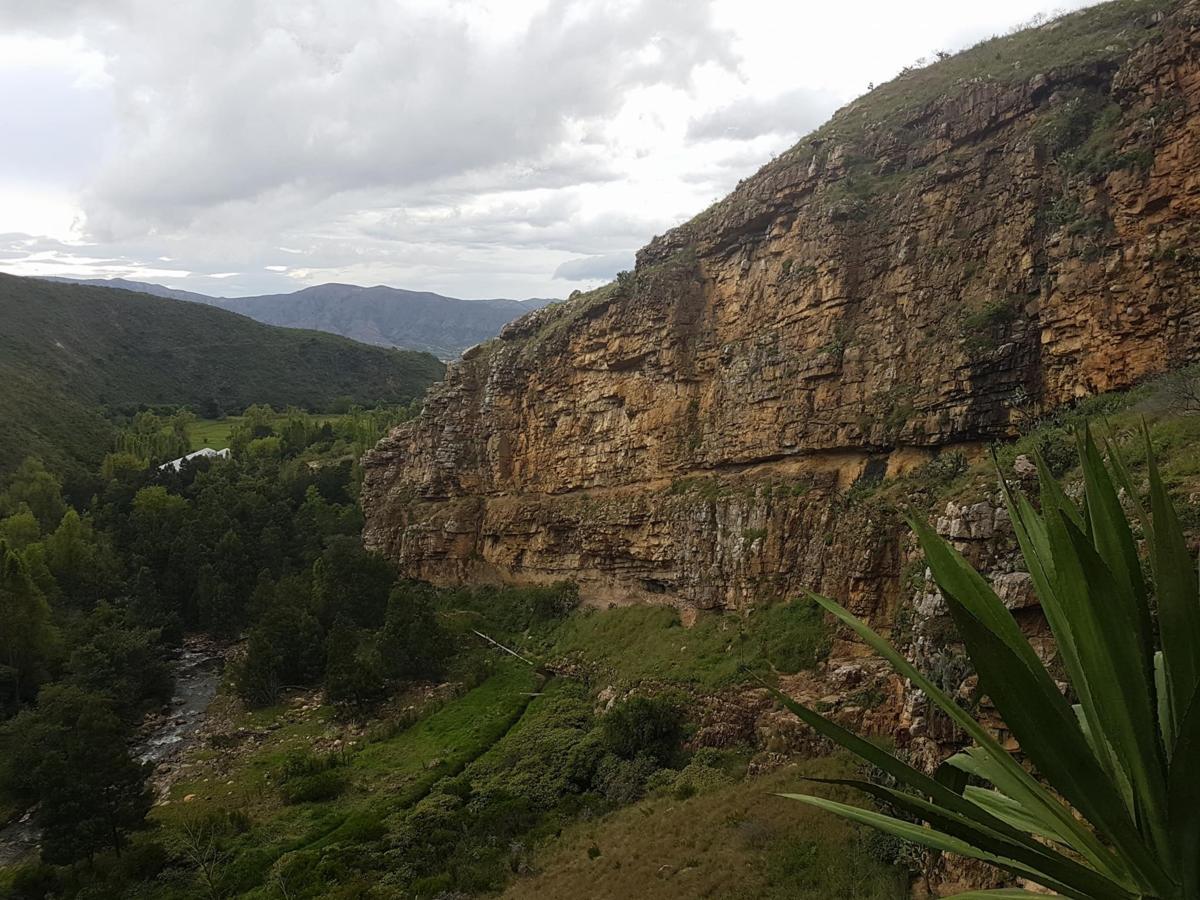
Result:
917,277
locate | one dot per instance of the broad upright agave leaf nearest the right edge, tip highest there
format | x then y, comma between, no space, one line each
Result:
1179,596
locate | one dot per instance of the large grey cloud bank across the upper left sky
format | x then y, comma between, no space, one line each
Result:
225,101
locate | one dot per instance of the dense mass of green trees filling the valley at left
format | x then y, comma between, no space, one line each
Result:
94,596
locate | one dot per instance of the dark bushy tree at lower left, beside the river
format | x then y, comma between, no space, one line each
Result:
70,758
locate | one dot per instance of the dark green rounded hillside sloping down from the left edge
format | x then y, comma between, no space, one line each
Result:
70,353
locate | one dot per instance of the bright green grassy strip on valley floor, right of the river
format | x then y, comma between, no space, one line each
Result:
381,778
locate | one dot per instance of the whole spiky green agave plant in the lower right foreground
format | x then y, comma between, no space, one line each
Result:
1108,805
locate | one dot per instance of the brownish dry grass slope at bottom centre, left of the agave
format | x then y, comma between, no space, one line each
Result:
737,843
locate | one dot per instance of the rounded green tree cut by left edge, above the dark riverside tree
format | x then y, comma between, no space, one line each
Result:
28,638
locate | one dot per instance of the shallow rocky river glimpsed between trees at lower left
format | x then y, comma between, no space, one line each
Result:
197,668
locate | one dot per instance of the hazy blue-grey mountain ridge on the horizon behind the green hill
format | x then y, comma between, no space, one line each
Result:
382,316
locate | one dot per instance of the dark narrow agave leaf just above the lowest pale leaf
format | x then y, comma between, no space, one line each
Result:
1039,859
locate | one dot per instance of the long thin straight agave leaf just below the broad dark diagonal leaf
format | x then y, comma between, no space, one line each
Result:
1082,838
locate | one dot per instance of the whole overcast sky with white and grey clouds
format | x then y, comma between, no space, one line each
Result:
475,148
